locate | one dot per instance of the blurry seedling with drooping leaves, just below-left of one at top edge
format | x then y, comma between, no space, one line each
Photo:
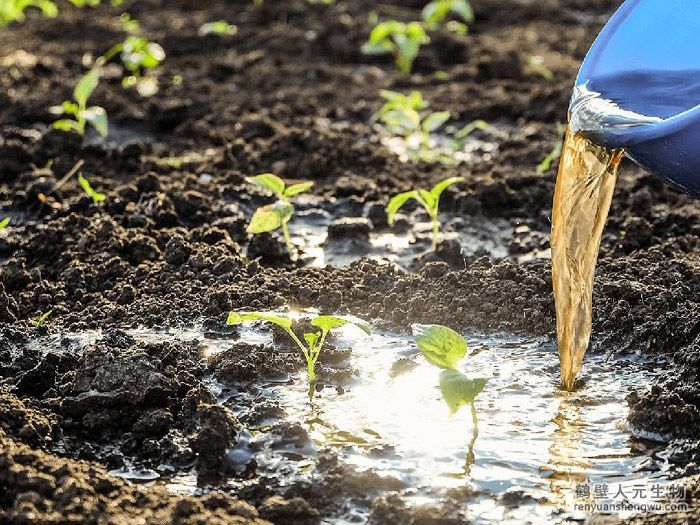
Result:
400,39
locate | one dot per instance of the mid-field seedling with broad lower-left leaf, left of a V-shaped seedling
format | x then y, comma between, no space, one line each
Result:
273,216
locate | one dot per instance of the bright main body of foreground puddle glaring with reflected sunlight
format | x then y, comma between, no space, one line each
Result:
532,437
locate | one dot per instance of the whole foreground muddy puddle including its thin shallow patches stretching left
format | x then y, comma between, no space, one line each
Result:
533,449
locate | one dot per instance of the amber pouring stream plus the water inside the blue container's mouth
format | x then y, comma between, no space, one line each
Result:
585,184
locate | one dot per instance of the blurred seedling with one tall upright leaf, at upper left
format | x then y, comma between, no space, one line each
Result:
77,108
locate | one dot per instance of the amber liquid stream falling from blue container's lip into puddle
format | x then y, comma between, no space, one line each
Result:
584,189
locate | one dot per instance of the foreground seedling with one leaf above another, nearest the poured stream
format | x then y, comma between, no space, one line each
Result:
445,348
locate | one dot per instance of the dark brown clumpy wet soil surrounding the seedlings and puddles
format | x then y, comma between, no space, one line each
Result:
290,93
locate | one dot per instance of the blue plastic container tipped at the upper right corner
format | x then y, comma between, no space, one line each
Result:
639,89
